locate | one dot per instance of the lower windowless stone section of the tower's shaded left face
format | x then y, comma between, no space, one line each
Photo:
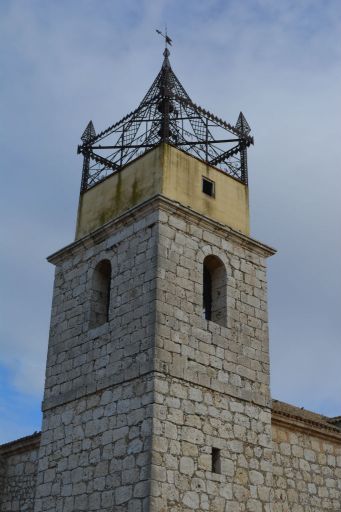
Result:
95,452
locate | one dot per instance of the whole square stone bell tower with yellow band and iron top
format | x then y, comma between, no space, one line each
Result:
157,381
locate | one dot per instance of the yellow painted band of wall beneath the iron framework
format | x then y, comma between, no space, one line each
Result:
174,174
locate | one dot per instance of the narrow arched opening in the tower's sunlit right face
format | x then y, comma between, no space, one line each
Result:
214,290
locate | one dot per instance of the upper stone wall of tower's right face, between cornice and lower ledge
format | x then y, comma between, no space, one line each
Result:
232,359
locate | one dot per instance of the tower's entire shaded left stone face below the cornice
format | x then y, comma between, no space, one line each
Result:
96,433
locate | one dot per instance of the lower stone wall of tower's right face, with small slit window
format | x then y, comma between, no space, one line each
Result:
188,421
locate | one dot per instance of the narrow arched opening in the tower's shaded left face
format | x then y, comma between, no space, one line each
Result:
100,294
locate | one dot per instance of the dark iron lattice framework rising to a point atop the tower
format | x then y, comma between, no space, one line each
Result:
166,114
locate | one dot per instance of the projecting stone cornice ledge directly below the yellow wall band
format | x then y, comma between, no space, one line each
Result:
154,205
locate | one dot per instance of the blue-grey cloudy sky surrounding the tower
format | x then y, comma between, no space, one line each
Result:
65,62
